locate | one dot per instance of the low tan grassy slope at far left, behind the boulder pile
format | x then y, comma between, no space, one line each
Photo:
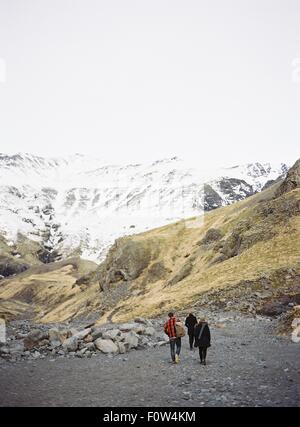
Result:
49,292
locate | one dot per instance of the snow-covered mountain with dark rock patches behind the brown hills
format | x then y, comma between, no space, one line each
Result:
82,204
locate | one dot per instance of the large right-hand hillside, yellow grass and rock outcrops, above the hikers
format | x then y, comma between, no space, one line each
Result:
244,256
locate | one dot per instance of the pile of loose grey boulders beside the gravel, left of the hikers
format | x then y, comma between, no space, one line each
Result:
62,341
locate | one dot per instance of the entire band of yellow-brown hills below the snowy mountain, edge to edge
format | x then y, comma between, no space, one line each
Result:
244,256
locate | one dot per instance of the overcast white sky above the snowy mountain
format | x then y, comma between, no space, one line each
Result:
206,80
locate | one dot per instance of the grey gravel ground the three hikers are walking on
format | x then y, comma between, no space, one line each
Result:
247,366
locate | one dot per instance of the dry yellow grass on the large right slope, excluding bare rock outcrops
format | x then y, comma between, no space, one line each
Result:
259,236
